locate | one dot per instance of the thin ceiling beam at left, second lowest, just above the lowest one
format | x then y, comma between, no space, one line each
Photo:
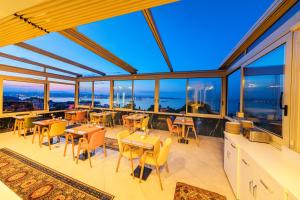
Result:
24,60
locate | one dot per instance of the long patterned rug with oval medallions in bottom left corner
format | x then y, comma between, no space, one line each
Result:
31,180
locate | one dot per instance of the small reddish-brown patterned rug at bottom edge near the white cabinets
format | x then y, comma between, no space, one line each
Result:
187,192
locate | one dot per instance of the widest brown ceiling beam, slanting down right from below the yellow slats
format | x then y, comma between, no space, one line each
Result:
87,43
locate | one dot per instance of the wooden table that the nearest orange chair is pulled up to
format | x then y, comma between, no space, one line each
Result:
82,130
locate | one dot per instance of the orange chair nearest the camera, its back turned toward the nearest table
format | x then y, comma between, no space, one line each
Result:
91,143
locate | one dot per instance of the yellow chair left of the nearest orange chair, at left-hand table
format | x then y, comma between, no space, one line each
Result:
56,130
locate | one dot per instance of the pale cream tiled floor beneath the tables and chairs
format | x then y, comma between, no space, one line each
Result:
201,166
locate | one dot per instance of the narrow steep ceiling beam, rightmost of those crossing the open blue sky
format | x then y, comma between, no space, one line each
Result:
151,23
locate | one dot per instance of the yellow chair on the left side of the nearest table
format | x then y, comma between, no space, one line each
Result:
127,151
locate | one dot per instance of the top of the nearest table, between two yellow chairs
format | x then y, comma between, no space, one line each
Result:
143,141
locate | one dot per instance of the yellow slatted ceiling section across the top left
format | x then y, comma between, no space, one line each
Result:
63,14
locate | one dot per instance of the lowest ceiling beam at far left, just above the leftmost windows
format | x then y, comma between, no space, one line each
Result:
14,69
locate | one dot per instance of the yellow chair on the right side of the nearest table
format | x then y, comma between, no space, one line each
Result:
157,160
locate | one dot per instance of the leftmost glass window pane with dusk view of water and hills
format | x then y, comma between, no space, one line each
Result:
22,96
